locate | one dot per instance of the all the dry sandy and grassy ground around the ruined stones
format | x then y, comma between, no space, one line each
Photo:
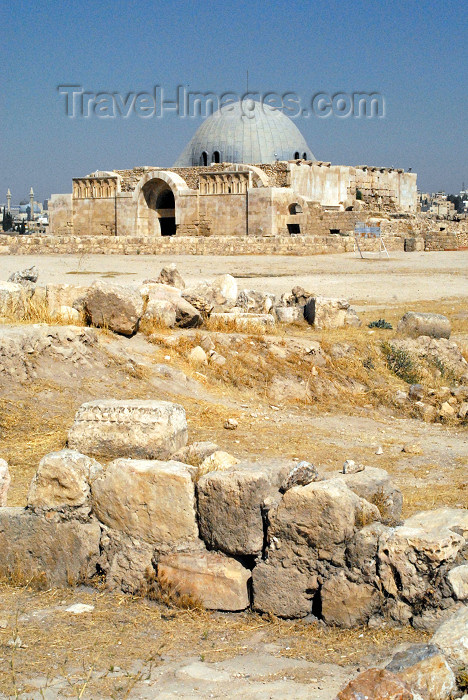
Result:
132,648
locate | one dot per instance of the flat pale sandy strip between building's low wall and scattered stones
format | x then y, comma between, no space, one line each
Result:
404,277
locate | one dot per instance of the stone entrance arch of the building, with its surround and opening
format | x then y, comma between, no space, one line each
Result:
156,196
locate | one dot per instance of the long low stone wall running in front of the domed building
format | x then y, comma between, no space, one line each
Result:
188,245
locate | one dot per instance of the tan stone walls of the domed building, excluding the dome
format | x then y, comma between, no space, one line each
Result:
275,199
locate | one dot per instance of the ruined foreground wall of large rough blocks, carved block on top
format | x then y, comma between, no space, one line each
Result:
275,537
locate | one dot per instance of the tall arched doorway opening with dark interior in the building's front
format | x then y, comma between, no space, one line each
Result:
157,209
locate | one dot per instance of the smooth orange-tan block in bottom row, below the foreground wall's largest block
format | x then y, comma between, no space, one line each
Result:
218,582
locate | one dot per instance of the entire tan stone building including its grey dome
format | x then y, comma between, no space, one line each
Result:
240,175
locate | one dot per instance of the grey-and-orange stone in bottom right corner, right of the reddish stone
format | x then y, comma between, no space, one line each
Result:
426,670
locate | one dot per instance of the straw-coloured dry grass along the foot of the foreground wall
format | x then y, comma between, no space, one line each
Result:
133,634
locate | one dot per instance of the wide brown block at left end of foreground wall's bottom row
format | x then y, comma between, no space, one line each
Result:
55,553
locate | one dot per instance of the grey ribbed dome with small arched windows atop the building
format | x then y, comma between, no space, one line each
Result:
245,132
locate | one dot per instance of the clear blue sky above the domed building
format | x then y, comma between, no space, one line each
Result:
413,53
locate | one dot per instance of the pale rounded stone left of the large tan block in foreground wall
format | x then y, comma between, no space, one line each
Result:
63,480
